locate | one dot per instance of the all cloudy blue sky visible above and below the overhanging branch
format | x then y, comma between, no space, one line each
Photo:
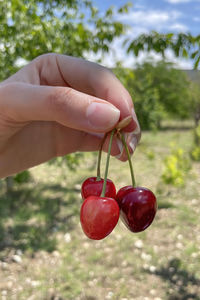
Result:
159,15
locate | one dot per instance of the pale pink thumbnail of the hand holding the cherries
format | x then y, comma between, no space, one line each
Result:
102,116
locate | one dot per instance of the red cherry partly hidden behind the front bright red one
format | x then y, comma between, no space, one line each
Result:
92,187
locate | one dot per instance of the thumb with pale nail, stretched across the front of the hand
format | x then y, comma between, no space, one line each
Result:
71,108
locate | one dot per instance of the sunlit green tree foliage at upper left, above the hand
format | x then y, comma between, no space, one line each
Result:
30,28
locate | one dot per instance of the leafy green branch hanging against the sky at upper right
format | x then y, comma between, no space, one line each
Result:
182,44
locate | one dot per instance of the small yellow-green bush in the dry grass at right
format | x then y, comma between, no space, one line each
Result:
176,167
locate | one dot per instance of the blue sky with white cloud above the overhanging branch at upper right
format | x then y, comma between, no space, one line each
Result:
161,15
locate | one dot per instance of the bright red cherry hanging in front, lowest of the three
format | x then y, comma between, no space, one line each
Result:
99,216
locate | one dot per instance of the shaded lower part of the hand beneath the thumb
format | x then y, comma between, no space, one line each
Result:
39,142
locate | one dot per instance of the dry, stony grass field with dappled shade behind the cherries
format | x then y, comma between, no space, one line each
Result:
45,255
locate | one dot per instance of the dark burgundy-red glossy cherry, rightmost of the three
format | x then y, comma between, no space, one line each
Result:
138,207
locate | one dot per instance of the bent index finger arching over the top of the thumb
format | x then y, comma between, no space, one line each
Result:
89,78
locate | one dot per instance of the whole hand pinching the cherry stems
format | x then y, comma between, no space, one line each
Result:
57,105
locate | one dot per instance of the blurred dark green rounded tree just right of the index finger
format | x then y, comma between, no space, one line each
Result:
159,91
